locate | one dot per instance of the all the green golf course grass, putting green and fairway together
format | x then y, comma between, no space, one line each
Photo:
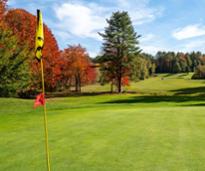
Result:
161,128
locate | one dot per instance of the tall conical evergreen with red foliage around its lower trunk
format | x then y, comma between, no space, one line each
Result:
119,47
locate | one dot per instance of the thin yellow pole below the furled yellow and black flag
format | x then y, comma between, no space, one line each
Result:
45,121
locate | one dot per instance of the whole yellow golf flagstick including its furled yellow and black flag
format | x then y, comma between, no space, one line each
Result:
38,50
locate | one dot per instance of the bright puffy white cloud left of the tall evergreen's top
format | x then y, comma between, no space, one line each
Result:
80,20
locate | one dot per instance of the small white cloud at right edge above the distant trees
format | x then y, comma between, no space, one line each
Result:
189,31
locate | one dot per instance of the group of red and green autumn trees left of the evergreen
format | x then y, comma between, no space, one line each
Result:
20,74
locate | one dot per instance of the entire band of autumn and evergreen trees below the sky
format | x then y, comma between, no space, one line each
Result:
120,62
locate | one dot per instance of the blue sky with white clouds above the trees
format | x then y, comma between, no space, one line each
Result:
170,25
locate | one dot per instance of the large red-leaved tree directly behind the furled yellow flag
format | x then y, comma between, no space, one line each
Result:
23,24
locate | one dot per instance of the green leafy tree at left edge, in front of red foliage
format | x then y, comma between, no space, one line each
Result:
13,68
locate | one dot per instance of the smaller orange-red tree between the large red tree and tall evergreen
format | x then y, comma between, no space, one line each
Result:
77,67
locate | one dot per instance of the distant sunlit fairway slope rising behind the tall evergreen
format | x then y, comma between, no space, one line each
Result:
162,84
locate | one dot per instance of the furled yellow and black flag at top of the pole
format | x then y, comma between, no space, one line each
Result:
39,36
